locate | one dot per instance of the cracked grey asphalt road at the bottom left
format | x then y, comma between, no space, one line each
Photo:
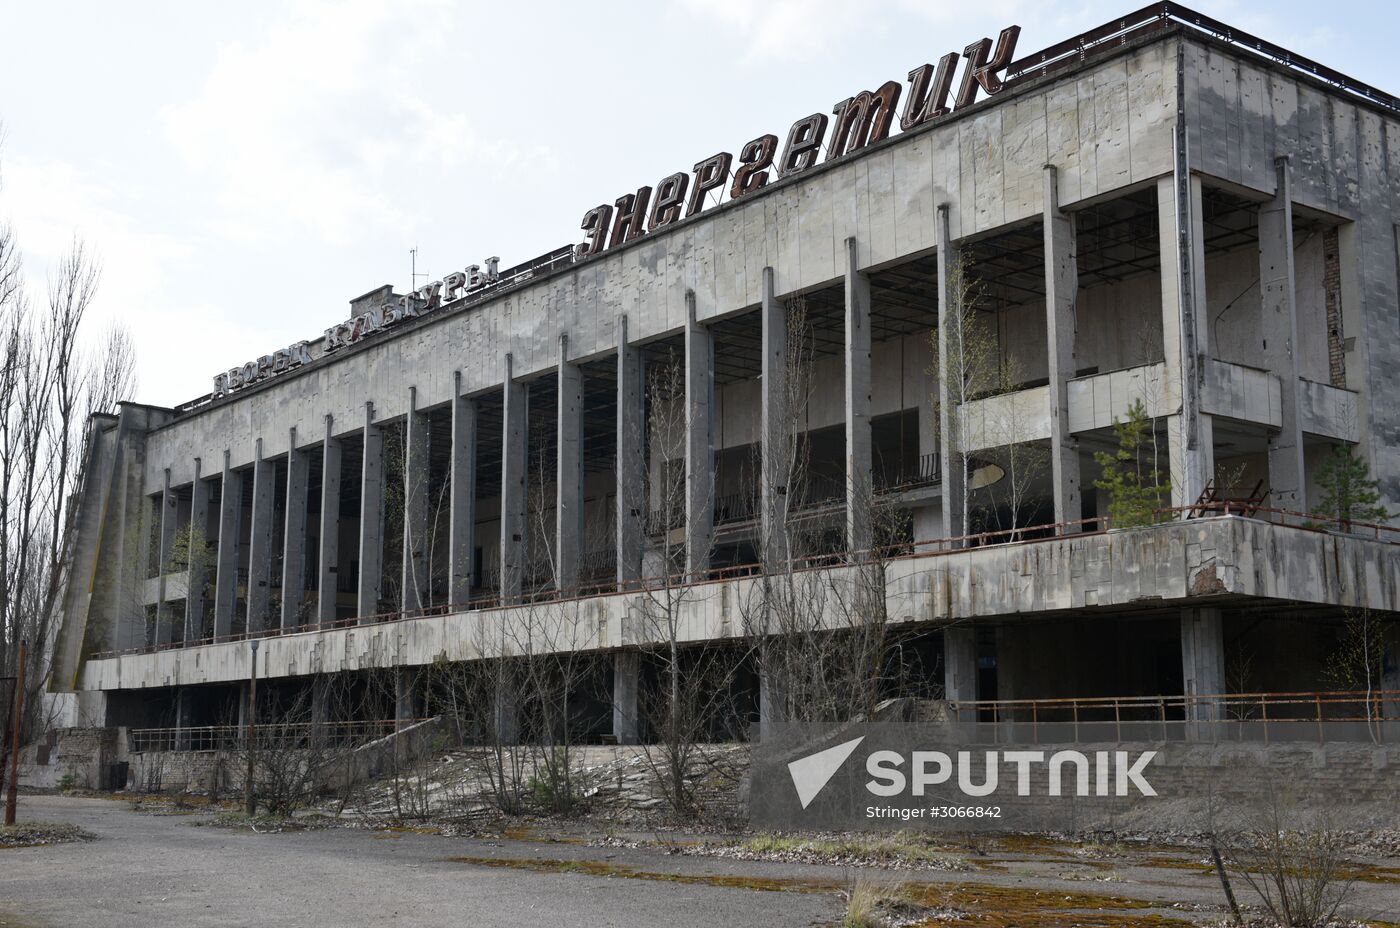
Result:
159,870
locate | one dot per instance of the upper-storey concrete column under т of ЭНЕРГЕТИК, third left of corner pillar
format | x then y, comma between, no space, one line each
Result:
860,492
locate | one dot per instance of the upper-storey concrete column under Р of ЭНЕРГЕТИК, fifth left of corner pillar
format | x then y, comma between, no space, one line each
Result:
699,442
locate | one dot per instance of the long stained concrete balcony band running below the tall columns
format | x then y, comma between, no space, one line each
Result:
1185,562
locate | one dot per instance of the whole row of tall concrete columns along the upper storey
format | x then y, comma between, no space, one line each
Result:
1185,332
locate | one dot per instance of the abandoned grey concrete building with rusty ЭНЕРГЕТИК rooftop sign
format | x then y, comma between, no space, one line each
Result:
1163,211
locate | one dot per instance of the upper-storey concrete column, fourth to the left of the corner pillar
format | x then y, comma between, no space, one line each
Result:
778,428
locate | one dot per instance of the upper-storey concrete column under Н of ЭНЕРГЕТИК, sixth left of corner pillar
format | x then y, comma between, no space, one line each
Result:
632,458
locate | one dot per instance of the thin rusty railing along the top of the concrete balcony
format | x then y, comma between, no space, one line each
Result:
905,551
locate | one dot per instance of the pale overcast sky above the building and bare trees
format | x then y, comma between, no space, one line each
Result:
246,169
